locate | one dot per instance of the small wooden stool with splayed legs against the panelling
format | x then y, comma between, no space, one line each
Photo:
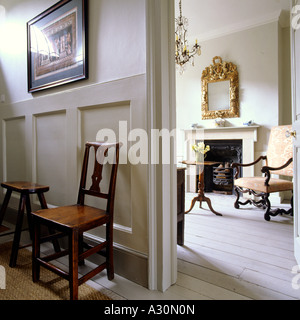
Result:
25,189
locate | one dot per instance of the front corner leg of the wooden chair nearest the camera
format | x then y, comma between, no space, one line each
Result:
73,264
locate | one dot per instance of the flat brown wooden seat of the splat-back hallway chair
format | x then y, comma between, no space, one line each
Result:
74,216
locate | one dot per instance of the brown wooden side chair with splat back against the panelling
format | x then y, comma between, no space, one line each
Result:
73,220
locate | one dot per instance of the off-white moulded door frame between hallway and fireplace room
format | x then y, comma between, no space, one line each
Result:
162,185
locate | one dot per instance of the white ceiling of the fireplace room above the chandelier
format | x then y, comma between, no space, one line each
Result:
209,18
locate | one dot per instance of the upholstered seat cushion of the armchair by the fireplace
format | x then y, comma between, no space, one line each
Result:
258,184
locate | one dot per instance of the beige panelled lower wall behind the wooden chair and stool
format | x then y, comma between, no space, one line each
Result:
47,147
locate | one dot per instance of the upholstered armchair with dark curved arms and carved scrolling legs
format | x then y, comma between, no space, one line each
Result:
278,161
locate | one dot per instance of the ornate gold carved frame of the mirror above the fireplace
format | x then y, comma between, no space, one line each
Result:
217,72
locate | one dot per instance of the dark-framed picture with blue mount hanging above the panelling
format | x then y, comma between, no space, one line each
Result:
57,45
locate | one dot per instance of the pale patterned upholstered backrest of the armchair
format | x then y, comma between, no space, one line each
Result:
280,150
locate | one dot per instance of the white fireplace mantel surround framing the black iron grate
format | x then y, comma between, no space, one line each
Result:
248,135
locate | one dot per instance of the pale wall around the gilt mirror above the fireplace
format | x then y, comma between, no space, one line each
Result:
256,53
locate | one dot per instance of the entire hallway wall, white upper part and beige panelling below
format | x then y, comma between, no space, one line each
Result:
43,134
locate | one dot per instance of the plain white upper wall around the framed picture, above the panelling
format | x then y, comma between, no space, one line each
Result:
116,43
